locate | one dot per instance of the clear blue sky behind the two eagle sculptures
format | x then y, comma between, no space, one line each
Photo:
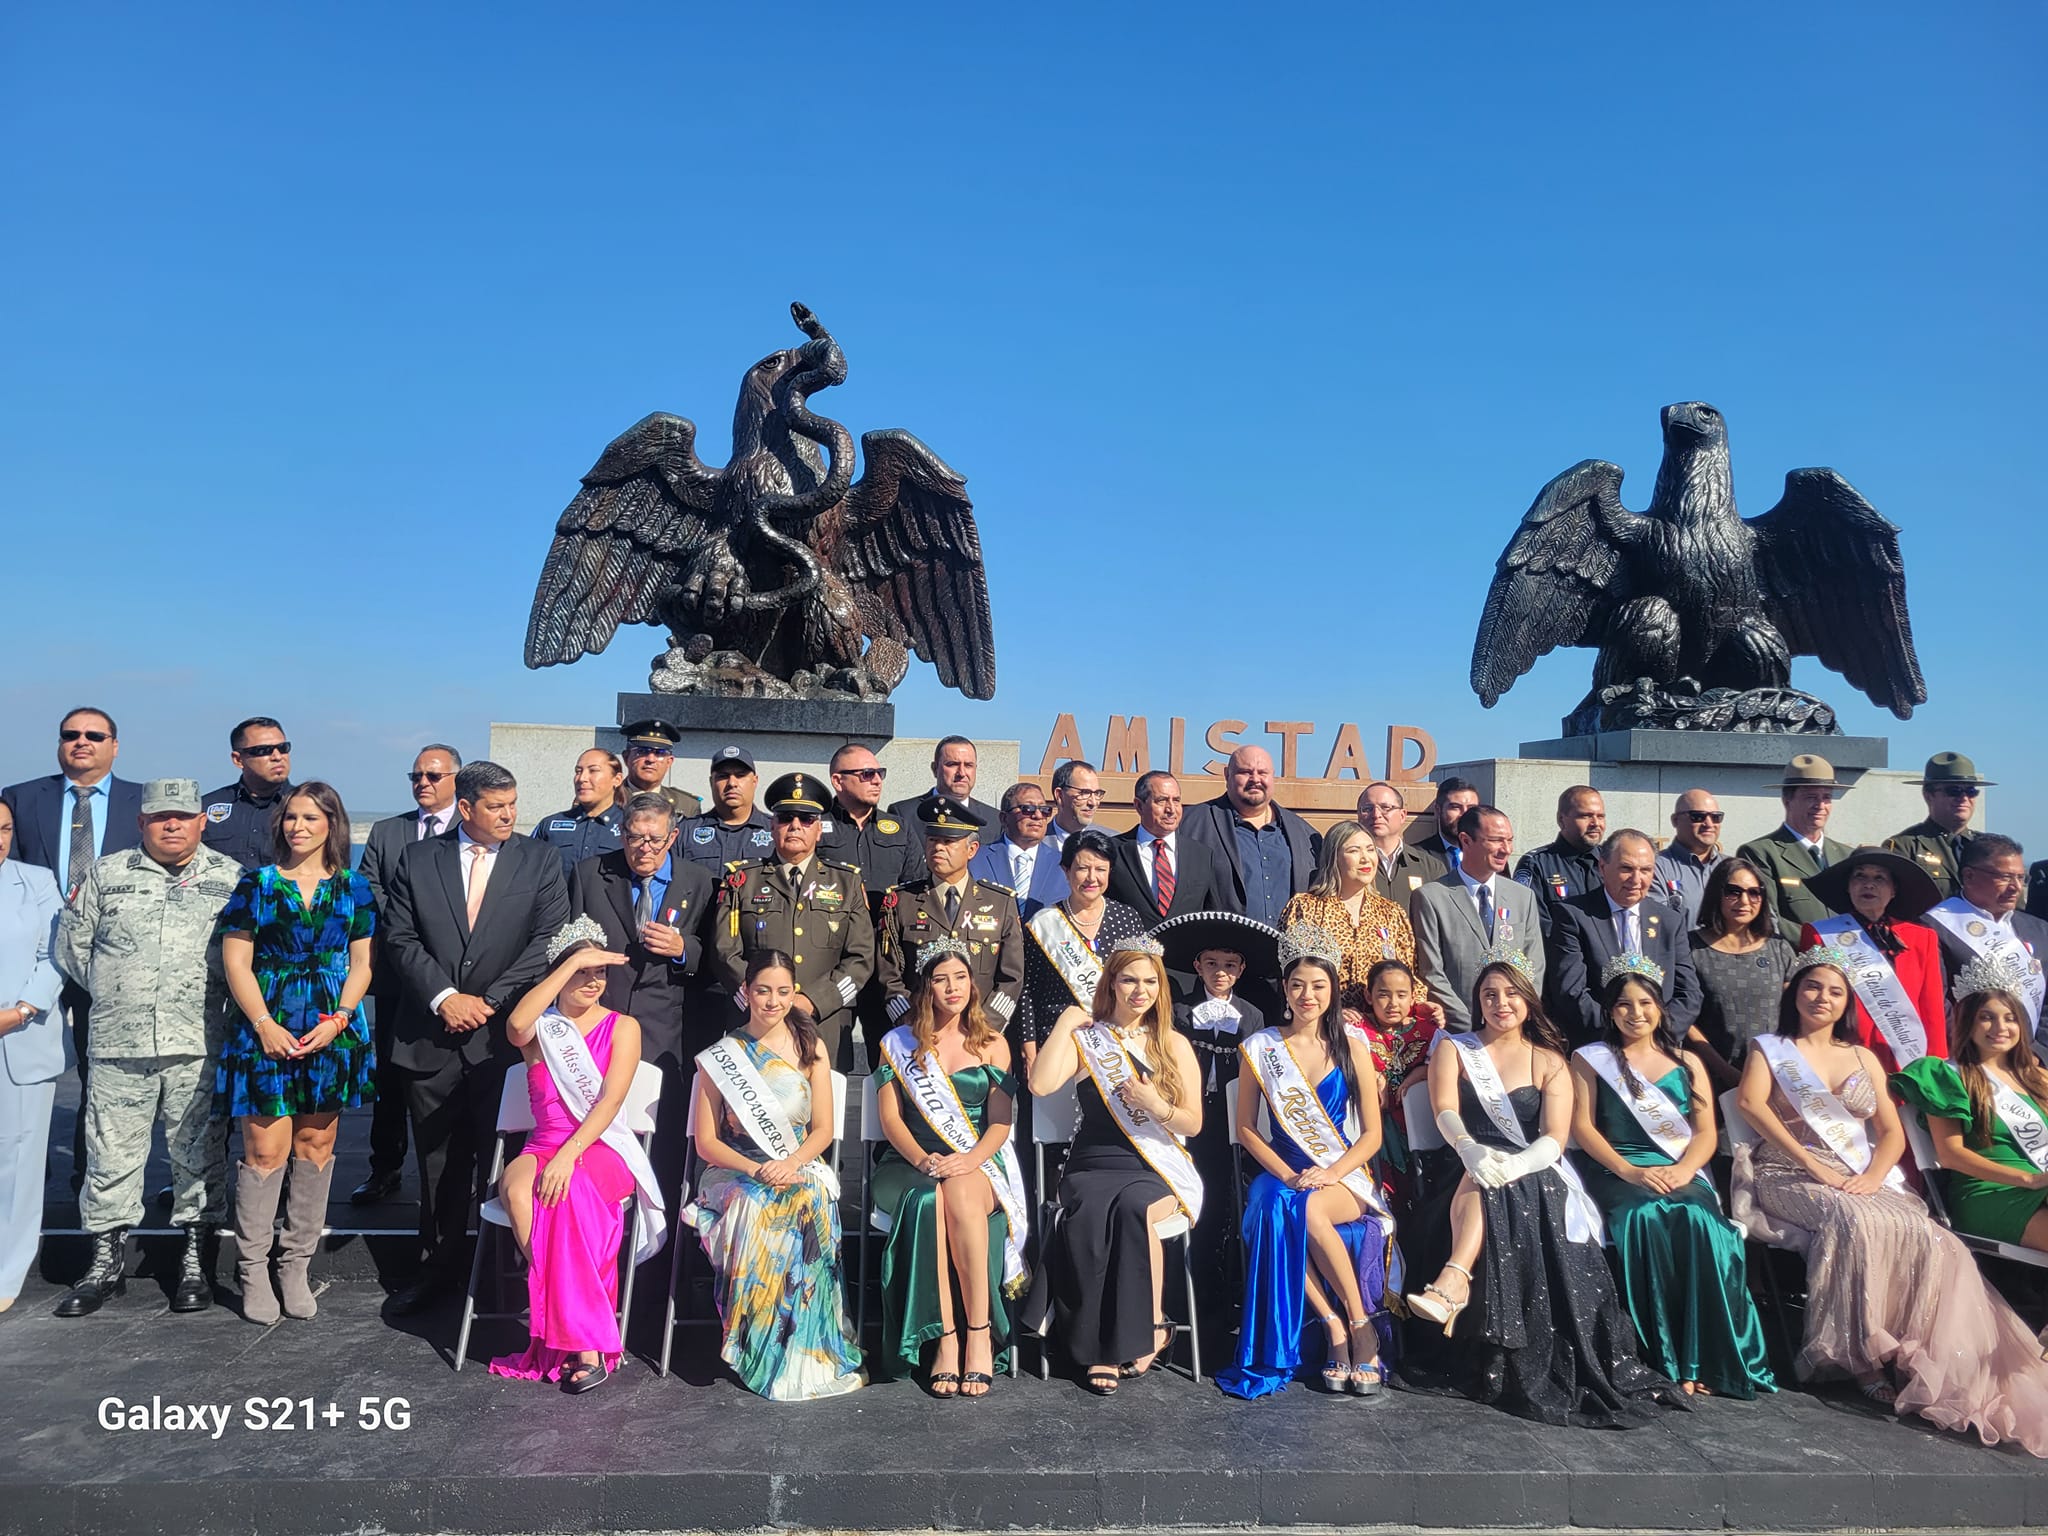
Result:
1261,331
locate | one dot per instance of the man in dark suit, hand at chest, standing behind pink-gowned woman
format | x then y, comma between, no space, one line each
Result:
656,908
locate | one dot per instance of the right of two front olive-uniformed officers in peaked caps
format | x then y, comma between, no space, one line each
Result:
951,902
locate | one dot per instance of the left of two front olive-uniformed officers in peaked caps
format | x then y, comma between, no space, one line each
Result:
810,908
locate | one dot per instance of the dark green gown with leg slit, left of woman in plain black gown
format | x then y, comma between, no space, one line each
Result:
910,1265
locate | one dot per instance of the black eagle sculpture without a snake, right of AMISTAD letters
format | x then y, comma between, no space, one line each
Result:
1699,611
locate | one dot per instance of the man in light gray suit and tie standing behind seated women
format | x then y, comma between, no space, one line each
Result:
1463,916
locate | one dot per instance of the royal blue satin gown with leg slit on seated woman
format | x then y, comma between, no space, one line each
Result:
1277,1254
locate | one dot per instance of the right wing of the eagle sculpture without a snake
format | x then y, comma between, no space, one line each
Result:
1836,587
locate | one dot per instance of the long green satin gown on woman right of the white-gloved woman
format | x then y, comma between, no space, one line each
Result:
1678,1261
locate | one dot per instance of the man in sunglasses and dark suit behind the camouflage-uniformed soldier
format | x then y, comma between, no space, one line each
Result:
65,822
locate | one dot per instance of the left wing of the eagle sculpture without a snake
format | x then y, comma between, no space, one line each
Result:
1560,579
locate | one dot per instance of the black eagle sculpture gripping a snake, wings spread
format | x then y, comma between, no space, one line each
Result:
777,577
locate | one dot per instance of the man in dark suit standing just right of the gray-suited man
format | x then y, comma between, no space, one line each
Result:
1621,914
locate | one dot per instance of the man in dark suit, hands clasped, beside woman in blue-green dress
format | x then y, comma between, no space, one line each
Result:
468,925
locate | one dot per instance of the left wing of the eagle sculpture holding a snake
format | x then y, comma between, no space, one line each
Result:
644,509
